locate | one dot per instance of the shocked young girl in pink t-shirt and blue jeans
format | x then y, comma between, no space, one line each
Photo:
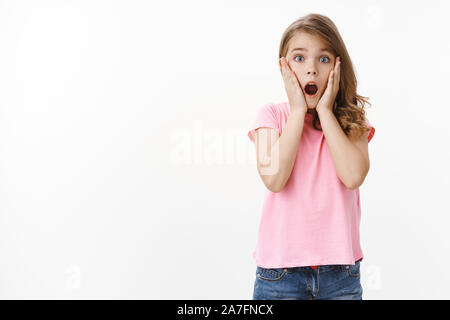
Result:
312,156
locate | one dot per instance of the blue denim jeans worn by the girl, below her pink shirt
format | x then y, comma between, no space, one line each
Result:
337,282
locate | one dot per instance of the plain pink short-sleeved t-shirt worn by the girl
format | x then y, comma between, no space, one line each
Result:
315,219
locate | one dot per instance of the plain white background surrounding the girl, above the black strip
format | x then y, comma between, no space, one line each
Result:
126,170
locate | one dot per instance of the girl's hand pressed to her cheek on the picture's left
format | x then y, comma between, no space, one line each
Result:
294,92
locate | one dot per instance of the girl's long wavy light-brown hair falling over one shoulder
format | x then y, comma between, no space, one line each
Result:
349,105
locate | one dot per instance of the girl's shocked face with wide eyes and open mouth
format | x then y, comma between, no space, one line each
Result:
310,59
